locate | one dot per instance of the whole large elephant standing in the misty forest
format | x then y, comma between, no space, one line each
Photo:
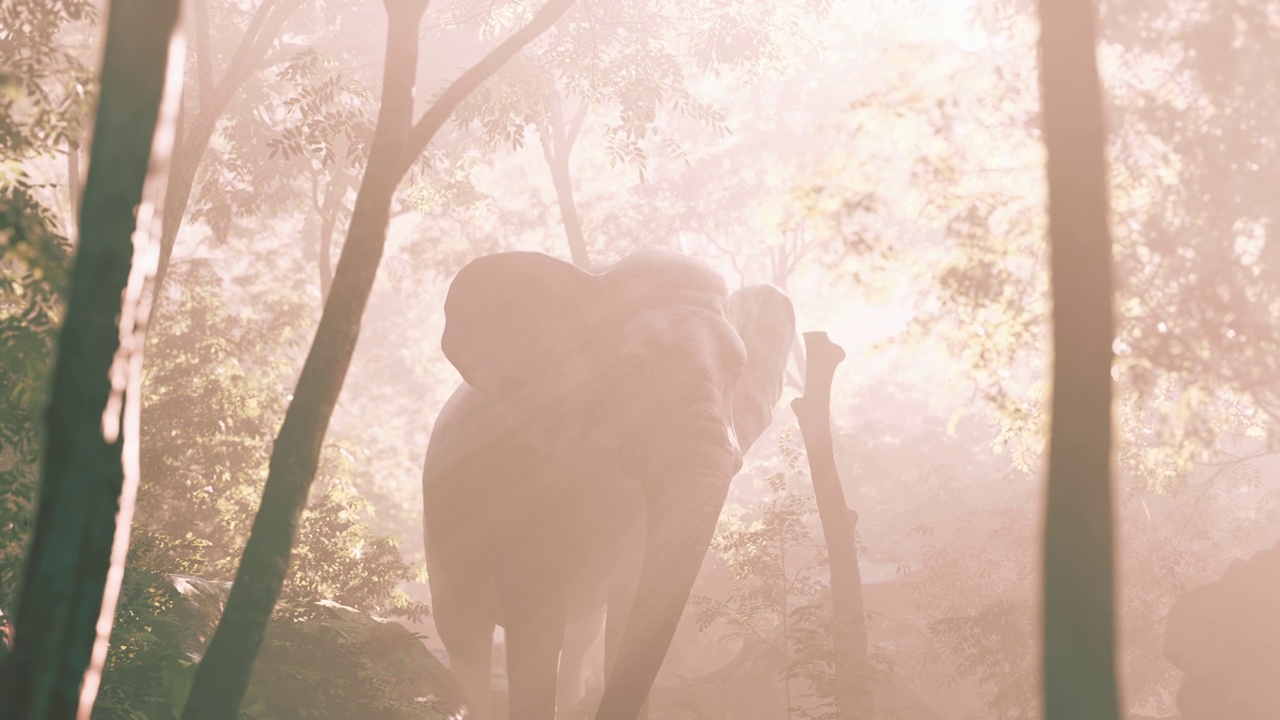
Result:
584,461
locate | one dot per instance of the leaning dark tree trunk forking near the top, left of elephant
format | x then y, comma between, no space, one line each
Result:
223,676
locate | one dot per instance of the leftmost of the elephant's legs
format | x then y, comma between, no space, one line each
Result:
469,641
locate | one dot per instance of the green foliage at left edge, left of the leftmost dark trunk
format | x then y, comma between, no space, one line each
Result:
43,94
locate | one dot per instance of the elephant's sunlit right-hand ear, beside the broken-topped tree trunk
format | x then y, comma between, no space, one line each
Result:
767,323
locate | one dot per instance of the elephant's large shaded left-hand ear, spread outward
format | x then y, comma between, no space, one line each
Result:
516,330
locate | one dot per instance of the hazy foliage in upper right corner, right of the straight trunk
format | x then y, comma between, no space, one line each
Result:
1195,122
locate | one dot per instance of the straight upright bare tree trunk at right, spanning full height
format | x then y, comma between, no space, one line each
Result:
1078,593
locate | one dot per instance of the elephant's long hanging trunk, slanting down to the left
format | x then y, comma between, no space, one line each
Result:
683,511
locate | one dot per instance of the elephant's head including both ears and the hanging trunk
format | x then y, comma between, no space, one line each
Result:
651,364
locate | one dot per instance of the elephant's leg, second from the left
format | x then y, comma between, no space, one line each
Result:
534,639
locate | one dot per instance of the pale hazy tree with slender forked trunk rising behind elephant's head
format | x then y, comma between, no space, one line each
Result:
633,69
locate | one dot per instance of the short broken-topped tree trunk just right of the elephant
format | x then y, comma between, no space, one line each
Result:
839,527
